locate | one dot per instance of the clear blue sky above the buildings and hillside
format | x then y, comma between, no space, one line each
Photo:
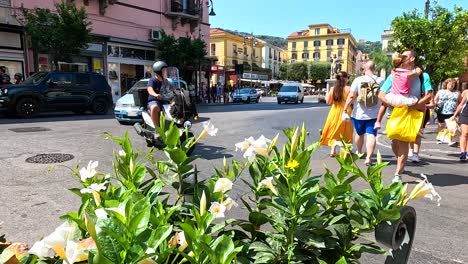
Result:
366,18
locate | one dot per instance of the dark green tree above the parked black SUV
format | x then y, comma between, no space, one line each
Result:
61,34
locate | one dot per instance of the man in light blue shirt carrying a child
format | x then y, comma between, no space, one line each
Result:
423,91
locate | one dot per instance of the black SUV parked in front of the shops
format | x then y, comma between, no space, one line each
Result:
57,91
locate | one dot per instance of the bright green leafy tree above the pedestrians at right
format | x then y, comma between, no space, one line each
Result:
439,39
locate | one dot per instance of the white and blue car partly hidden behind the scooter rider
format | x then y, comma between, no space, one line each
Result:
126,111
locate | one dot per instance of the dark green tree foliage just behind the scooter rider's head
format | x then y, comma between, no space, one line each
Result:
181,52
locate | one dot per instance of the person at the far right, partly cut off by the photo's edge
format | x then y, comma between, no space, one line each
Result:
462,110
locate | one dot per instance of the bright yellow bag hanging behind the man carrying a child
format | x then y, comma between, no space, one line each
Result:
404,124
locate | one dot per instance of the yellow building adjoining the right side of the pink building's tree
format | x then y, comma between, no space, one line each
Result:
227,49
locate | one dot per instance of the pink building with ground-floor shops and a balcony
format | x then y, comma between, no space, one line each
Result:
124,32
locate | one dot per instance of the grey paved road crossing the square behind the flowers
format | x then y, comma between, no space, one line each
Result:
32,197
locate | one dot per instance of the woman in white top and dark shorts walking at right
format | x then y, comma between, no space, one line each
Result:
447,100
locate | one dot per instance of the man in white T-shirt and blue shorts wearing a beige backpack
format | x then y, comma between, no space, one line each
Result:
364,96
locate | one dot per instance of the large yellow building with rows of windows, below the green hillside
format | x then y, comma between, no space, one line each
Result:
321,42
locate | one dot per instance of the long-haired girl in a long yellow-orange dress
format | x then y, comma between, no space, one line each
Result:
336,126
